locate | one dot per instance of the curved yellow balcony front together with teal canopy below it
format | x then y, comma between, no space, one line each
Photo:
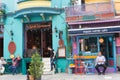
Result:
35,8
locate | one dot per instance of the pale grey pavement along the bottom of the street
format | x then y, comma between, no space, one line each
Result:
65,76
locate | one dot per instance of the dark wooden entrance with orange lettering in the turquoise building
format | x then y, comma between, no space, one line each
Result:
38,35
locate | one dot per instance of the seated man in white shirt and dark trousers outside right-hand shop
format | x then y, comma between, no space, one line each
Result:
100,62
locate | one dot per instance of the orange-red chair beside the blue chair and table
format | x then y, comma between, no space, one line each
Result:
79,68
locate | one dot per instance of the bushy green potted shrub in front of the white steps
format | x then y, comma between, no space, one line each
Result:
36,67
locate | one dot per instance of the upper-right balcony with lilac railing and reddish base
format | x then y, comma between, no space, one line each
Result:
95,11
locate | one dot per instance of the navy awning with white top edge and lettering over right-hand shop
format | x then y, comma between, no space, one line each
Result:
88,31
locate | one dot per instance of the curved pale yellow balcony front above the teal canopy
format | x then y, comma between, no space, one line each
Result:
22,4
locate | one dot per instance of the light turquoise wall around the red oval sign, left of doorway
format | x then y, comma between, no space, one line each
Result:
16,26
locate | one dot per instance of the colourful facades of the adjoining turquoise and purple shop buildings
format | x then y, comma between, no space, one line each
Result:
91,26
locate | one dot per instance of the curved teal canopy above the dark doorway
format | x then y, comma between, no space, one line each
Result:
35,11
